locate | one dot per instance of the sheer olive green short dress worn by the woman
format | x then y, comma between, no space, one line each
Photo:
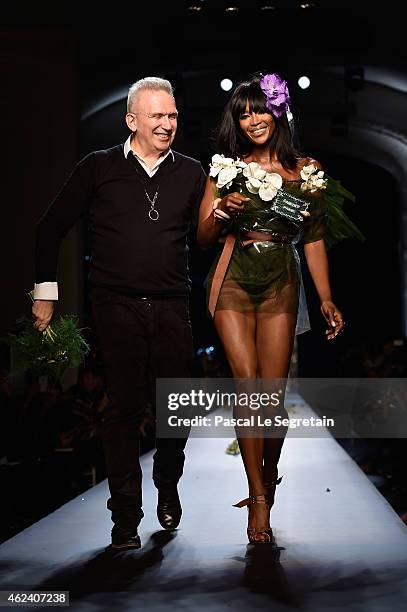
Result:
265,276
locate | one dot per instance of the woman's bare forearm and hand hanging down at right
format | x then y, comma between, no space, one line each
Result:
317,261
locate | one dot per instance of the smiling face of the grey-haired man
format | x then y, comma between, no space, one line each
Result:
152,118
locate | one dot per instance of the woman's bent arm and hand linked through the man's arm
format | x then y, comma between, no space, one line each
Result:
209,226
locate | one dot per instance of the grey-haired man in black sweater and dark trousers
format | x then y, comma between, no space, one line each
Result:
139,199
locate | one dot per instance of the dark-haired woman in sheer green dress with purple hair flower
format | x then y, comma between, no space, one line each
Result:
255,287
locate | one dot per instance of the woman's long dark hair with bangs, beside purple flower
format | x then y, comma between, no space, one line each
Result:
230,139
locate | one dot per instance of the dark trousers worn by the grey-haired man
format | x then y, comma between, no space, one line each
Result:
140,339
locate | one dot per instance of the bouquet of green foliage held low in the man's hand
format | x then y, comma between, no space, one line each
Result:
59,347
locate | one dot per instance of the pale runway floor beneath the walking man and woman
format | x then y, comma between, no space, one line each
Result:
339,549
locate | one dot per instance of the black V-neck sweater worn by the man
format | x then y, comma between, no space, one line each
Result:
129,252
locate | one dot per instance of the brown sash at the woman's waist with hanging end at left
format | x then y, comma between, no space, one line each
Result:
248,238
